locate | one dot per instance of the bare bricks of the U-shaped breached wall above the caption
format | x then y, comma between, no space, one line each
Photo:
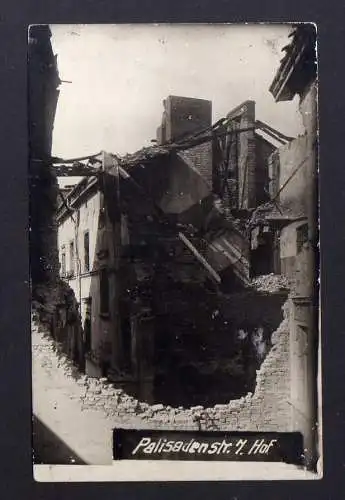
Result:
269,408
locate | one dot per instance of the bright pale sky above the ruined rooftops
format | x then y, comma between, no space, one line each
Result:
120,75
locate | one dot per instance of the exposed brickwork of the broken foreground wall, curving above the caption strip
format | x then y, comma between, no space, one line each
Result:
267,409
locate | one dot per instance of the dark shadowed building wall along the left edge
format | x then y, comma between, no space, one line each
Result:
54,305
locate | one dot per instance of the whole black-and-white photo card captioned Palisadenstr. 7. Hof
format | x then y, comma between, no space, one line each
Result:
173,178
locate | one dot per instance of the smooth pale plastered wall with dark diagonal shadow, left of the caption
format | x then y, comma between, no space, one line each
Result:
58,405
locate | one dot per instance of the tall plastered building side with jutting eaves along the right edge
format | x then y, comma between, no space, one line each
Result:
297,164
